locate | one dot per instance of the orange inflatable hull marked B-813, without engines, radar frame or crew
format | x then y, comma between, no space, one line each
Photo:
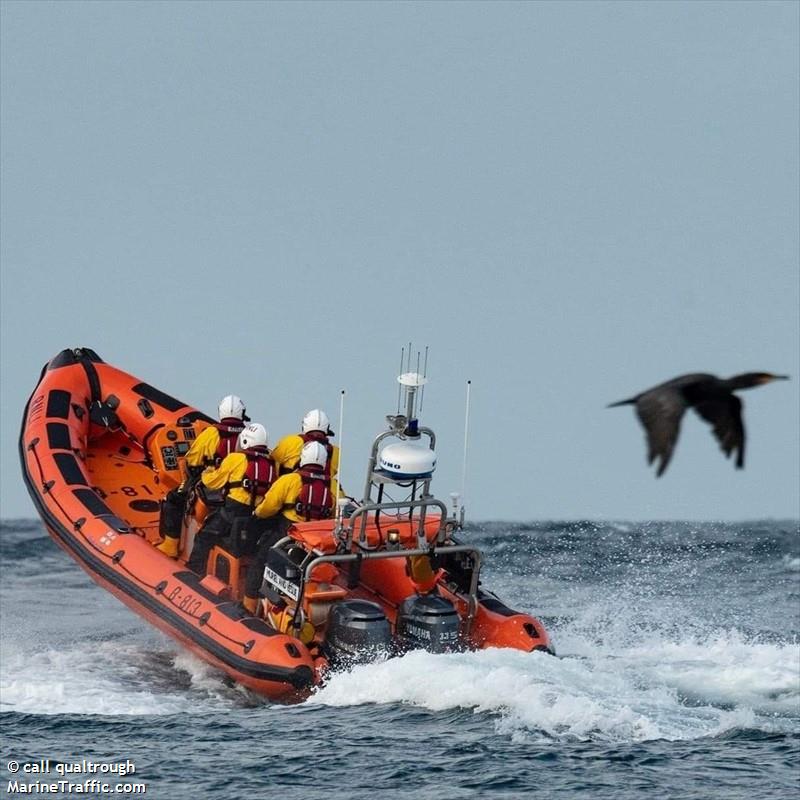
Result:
100,449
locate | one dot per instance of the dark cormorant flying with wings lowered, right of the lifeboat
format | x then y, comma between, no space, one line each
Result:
661,408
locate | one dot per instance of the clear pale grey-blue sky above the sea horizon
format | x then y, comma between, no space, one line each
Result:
567,203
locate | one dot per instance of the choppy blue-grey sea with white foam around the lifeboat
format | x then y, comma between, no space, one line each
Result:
677,676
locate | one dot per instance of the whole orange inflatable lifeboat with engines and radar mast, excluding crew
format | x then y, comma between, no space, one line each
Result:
100,449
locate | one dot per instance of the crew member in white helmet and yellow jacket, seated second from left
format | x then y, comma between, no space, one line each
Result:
244,478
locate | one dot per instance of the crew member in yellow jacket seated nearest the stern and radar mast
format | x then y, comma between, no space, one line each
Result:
309,493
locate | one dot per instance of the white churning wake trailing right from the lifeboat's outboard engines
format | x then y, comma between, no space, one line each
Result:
675,692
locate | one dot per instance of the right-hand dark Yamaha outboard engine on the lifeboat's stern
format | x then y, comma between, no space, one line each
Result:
428,622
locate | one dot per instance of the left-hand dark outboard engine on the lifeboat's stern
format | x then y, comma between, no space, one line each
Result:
358,632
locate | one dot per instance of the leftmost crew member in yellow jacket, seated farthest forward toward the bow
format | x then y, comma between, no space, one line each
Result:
208,450
